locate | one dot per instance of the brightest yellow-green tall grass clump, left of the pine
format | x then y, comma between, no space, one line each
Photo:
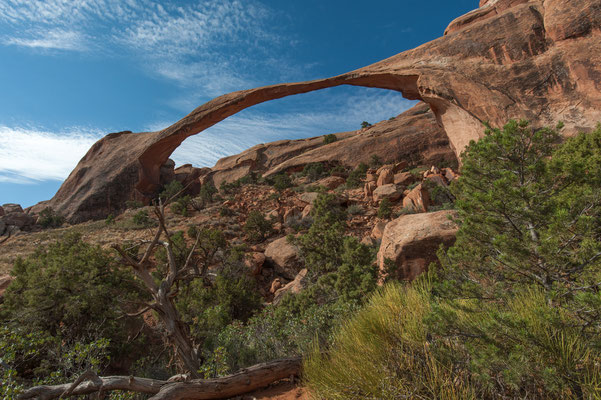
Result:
383,353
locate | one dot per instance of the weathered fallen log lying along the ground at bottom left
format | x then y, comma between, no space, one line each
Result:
242,382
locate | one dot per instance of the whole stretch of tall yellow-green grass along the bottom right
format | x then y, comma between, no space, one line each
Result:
407,344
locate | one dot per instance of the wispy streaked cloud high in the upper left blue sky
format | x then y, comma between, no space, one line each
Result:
209,47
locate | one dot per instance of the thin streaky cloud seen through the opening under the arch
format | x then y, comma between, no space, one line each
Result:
242,131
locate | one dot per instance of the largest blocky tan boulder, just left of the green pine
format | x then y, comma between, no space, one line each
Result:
411,241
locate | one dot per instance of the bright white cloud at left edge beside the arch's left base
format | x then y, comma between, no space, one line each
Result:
35,155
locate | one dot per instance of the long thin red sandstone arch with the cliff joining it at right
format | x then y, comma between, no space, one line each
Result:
532,59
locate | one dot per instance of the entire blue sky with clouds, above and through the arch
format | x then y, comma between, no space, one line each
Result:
72,71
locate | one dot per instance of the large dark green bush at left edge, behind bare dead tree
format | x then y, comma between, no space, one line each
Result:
64,306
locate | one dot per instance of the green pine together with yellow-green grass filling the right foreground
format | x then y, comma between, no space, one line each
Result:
513,309
